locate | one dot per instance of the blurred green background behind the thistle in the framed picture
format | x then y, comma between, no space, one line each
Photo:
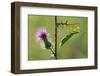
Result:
75,47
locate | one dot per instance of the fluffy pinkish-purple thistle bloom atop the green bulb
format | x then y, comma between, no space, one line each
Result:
41,33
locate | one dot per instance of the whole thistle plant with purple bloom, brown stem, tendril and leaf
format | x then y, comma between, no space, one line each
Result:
42,34
